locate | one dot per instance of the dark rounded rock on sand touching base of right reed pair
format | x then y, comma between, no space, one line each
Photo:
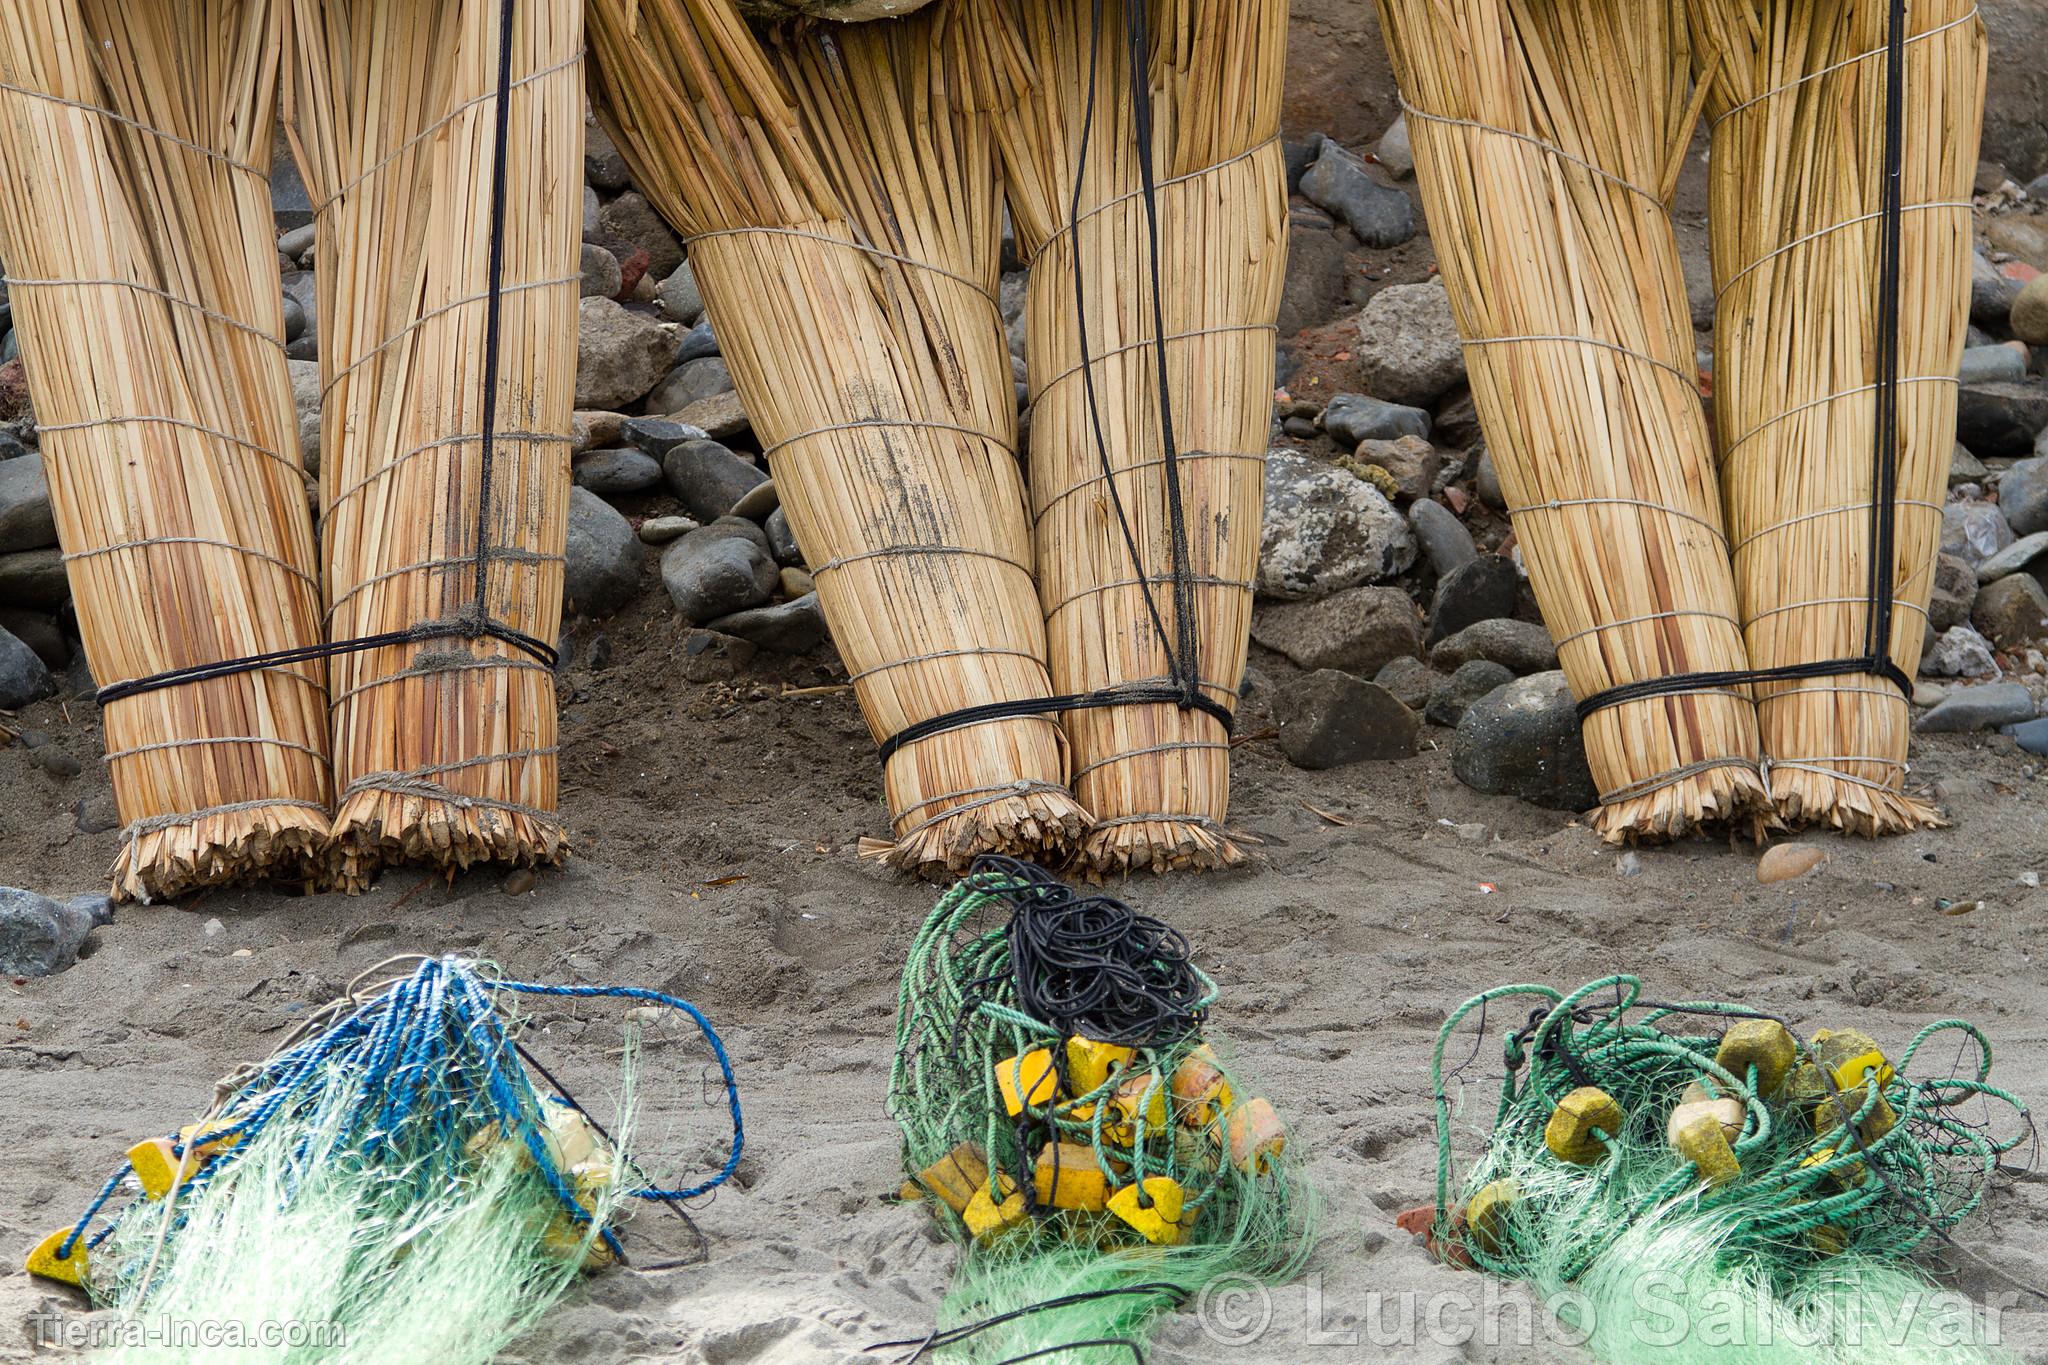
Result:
1525,742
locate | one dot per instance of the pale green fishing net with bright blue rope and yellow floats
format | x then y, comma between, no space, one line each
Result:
390,1182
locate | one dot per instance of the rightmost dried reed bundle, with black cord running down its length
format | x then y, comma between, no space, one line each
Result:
1797,95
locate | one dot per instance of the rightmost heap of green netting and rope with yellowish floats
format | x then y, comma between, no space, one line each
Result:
1654,1155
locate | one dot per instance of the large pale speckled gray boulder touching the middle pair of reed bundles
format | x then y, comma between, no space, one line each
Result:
1326,531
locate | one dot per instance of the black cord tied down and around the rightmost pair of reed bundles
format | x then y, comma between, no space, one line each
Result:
1877,658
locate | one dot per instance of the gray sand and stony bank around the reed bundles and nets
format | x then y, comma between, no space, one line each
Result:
1402,703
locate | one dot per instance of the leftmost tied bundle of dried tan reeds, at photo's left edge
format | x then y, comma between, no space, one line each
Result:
146,298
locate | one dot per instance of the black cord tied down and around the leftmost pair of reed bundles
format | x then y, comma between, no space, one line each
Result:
474,621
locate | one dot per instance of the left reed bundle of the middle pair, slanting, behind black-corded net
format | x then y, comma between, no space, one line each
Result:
843,204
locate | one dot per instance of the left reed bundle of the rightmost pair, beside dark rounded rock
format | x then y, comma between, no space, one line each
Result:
1547,140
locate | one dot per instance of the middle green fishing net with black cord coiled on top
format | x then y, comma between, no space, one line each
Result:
1052,1069
